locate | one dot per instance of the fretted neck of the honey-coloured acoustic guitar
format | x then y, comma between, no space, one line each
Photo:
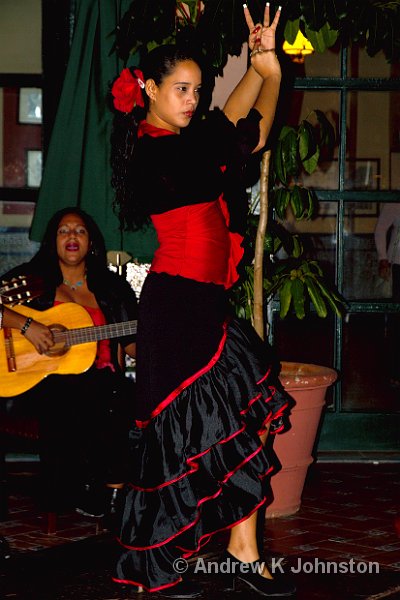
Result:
95,333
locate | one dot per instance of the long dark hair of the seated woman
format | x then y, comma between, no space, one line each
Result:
46,262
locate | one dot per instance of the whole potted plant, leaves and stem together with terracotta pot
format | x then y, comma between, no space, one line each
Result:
300,285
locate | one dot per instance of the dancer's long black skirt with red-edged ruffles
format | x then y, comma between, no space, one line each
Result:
205,394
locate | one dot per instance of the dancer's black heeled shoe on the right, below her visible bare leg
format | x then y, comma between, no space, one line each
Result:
249,573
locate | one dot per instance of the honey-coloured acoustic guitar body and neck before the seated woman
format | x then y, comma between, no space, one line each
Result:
74,351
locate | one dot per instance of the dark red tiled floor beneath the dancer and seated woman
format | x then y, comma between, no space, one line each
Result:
344,542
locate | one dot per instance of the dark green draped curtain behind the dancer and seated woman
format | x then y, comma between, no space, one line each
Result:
77,169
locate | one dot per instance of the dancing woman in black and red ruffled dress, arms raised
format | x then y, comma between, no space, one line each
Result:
208,392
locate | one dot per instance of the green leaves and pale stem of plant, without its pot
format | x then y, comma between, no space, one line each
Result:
279,265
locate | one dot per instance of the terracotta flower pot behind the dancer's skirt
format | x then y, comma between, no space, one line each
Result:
307,384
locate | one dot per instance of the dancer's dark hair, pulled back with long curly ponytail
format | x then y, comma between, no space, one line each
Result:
156,65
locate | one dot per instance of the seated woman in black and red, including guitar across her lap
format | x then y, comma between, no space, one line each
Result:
77,386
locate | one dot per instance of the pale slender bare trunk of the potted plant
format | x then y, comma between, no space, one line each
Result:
259,319
